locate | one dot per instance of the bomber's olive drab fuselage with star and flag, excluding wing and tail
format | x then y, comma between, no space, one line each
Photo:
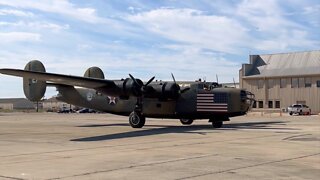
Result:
196,103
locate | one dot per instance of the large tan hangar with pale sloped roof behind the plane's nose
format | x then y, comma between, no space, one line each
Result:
280,80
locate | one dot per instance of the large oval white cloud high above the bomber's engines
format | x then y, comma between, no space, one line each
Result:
193,27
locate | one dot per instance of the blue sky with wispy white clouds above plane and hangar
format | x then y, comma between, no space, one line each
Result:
190,38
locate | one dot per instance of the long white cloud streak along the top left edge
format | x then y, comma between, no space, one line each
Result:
63,7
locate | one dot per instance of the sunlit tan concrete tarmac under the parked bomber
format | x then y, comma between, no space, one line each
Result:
103,146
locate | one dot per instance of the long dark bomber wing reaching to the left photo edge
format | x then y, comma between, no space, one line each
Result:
86,82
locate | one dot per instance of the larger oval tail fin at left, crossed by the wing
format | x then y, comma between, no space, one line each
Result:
33,89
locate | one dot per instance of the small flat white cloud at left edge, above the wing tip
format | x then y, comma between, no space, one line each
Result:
19,36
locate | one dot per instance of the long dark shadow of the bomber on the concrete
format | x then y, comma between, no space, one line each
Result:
158,130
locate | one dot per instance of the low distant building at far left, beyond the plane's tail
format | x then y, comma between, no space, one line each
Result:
16,103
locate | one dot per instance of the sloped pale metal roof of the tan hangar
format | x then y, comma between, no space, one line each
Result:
285,64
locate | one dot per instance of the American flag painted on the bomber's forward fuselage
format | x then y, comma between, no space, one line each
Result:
212,102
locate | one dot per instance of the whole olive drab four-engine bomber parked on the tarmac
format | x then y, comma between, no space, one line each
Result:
187,101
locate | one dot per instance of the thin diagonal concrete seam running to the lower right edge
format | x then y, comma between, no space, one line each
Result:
250,166
